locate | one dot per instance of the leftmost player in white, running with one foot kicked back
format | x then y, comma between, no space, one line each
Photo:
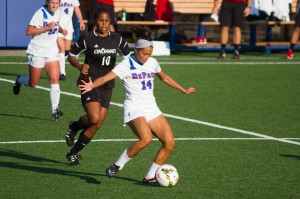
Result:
42,52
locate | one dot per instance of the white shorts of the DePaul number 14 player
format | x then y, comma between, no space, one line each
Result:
148,114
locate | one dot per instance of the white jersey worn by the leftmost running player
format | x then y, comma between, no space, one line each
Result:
44,44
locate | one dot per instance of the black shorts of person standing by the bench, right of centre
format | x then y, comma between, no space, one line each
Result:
232,14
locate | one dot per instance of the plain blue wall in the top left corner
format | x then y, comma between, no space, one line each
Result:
15,16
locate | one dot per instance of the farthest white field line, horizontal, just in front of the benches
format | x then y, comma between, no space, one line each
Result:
194,63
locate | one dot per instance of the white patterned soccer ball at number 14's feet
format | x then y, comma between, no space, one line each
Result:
166,175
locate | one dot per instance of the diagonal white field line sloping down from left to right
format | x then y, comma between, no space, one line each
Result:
191,120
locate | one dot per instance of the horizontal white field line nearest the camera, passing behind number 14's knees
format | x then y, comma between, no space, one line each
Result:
130,140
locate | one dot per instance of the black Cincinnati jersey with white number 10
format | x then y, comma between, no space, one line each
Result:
100,53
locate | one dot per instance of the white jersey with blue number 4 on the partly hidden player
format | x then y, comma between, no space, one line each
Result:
67,9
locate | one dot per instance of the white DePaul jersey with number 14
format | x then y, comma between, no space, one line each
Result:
138,82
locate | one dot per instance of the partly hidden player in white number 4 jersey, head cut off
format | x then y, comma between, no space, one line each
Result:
67,8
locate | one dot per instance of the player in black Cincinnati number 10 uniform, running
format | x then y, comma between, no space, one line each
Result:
100,47
